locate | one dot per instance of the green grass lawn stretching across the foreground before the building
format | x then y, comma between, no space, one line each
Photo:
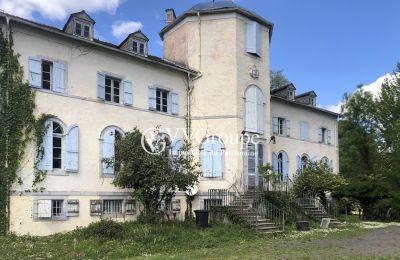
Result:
181,241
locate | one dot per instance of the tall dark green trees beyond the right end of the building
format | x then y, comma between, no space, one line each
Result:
370,149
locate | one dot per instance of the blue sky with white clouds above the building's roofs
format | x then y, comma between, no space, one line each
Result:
329,46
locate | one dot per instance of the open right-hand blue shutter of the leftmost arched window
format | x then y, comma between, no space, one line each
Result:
72,152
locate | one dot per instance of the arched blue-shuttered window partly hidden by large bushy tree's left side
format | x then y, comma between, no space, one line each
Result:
108,138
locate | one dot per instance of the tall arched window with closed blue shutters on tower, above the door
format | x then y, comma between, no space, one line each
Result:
254,110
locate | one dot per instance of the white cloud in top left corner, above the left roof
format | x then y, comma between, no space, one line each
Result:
56,9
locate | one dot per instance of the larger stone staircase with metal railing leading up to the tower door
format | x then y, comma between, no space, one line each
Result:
250,208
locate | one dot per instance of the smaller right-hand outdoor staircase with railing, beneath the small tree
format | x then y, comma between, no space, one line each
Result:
313,208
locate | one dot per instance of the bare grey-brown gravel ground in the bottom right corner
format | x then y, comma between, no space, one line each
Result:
377,243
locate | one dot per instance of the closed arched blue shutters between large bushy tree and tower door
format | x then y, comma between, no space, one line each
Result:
211,151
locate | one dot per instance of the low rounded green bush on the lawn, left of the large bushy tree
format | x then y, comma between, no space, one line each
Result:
104,229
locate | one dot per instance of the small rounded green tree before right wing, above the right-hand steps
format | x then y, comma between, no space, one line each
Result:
316,178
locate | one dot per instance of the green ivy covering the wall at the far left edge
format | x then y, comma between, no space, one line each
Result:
17,121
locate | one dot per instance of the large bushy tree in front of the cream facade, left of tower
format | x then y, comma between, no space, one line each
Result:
155,177
